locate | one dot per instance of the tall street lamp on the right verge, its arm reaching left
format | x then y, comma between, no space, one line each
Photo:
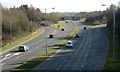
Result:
113,31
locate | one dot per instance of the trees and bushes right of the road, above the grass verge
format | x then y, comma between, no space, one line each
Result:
103,17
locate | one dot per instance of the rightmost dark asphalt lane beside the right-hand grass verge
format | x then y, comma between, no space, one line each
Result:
98,51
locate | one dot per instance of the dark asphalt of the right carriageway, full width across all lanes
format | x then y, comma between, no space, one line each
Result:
88,53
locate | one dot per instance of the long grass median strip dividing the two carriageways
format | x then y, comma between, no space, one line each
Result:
27,66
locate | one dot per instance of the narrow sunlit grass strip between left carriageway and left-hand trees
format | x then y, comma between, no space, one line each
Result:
8,46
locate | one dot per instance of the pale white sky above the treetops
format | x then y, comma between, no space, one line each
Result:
62,5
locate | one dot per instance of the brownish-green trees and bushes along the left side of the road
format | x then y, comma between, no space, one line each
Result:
24,20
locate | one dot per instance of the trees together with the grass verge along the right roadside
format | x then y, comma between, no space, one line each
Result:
106,17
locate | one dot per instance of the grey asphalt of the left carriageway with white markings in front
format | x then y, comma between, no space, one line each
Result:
13,58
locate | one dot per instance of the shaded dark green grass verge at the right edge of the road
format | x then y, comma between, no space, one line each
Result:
109,65
